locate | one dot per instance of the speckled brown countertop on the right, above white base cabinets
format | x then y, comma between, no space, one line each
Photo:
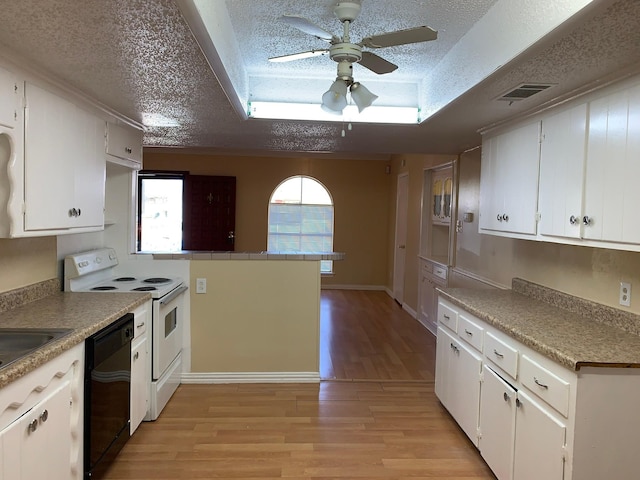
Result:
580,334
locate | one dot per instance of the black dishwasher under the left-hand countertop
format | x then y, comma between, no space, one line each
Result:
107,390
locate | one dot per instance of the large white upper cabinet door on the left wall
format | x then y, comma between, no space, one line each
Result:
64,165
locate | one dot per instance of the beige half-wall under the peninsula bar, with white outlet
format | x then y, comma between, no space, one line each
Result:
257,316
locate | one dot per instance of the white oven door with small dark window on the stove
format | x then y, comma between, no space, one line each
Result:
168,319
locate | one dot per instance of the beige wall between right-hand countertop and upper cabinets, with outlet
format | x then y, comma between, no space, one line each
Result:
592,273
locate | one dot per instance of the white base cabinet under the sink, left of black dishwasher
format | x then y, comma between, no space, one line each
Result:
41,421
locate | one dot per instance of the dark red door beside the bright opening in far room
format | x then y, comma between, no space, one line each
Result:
209,213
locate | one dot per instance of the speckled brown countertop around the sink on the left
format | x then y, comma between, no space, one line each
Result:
85,313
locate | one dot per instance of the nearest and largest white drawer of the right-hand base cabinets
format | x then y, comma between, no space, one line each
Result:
545,384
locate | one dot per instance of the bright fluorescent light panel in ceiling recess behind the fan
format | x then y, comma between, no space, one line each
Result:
312,111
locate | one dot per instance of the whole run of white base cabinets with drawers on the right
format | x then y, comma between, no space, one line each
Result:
530,417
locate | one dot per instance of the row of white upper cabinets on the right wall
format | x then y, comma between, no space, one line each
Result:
589,165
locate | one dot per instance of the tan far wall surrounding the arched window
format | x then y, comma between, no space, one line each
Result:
360,191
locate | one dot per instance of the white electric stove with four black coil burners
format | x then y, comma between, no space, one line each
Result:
95,271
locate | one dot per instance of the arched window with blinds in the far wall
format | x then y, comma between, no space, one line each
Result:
301,218
